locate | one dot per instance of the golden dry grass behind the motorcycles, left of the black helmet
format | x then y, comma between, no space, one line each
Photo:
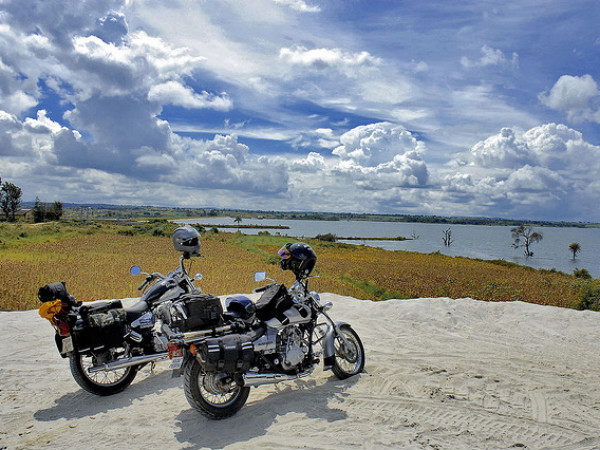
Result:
97,267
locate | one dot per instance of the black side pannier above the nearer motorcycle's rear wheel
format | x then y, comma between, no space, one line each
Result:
230,354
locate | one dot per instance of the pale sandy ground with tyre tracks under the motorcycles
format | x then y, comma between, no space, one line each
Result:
440,374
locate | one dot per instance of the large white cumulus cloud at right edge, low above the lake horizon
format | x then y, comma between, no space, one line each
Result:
548,168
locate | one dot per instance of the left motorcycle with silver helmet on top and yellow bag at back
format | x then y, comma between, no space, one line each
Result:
107,344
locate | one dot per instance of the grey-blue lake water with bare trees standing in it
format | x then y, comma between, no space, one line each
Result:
473,241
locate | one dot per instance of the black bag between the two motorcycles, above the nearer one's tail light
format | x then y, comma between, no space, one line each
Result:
203,311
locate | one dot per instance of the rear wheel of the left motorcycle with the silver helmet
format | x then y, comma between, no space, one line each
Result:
105,382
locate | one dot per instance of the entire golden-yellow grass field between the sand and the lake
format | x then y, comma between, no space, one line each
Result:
95,265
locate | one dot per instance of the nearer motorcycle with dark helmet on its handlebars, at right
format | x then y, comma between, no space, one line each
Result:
276,339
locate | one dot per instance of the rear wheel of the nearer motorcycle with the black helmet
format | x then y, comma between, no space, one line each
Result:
214,395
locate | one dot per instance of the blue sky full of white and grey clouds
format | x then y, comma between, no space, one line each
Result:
454,108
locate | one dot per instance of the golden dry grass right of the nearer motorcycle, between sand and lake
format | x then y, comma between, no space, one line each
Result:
410,275
